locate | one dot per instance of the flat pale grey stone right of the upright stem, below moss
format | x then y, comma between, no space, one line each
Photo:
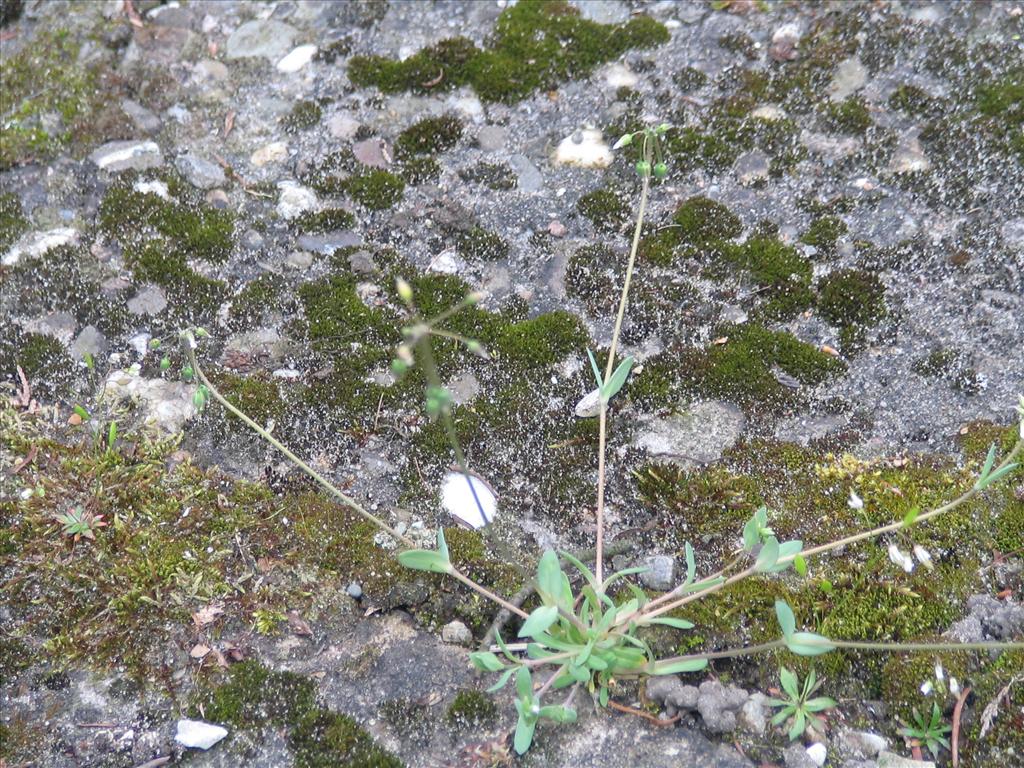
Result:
697,437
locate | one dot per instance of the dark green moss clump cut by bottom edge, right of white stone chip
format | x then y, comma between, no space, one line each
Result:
326,740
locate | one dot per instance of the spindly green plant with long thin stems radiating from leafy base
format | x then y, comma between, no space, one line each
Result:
580,637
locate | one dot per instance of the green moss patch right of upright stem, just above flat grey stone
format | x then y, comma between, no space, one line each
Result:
741,370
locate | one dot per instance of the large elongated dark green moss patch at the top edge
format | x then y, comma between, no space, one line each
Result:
535,46
